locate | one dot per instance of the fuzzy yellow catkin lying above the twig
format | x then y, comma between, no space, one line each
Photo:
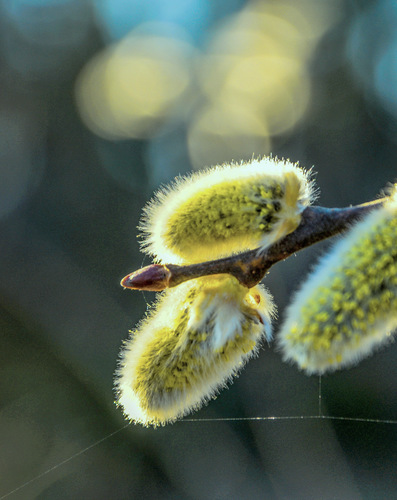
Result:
225,209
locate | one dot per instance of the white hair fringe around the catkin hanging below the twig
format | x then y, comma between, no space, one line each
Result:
167,407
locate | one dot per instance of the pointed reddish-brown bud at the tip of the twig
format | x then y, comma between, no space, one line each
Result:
153,278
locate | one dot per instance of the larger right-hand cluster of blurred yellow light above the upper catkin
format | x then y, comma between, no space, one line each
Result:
256,63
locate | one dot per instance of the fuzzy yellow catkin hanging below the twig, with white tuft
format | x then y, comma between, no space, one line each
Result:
197,336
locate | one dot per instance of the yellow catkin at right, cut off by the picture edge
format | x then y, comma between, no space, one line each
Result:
348,306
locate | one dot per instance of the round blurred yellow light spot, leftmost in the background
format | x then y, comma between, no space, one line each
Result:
129,88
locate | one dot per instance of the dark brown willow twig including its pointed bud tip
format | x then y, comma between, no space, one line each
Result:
317,224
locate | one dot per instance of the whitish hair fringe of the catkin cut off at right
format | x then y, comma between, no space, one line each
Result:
381,331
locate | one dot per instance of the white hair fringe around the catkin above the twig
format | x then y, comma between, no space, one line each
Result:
165,202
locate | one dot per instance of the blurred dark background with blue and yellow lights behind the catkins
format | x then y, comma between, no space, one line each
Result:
101,101
